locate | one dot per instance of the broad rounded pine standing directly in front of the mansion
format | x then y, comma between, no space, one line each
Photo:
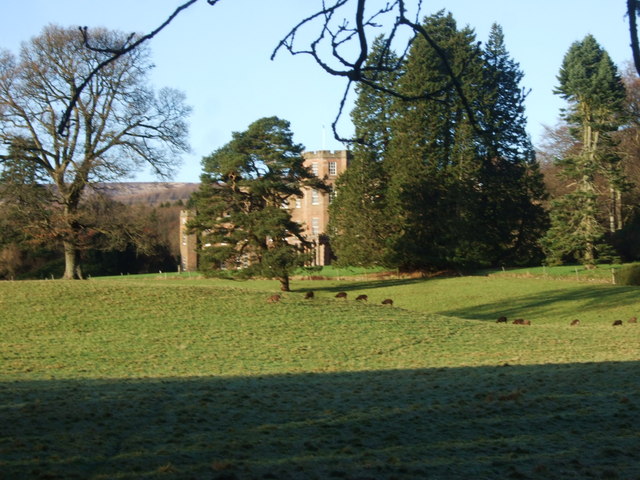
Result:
241,204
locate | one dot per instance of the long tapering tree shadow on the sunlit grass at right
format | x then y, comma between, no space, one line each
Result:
550,303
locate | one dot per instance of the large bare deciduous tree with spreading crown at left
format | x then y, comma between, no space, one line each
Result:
116,123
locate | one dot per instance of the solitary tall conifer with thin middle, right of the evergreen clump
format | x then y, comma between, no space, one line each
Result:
592,86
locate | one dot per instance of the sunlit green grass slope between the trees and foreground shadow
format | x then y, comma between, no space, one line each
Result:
102,329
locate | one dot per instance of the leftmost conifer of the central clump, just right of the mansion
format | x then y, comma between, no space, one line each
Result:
359,223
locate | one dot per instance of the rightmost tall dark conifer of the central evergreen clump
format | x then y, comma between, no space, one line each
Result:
511,183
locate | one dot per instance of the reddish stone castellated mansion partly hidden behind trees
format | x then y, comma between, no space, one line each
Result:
311,210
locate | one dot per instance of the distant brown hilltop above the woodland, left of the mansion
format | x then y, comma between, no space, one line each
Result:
149,193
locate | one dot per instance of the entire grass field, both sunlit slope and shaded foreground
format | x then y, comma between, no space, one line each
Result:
181,377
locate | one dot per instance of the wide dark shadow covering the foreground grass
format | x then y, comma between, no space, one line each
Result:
550,421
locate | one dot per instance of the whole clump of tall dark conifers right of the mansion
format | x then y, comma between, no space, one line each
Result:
448,181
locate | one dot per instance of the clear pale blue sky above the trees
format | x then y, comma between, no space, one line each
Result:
220,56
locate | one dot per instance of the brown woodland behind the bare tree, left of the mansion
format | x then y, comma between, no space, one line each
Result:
126,228
